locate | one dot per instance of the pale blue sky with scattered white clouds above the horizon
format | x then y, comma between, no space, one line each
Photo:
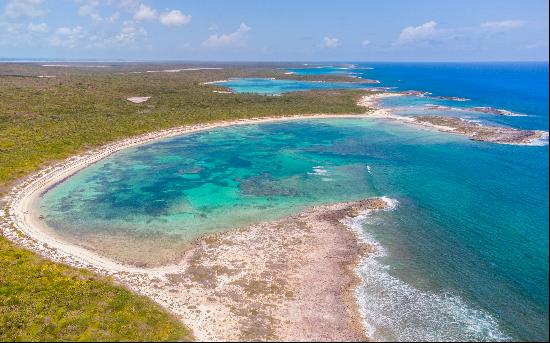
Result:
261,30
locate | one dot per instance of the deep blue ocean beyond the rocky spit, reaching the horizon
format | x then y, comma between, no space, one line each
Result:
520,87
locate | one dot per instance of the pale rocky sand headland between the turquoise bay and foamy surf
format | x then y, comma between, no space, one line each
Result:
287,280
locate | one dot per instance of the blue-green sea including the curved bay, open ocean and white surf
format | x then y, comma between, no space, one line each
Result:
463,256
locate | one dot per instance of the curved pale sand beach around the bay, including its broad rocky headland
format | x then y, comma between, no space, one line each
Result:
221,298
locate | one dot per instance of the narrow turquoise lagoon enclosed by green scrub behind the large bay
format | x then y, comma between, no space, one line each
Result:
266,86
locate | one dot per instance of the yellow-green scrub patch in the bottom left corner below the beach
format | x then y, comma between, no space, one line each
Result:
42,301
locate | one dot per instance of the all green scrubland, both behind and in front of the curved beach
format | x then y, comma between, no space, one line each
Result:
48,119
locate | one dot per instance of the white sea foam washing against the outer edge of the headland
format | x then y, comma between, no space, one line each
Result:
394,310
